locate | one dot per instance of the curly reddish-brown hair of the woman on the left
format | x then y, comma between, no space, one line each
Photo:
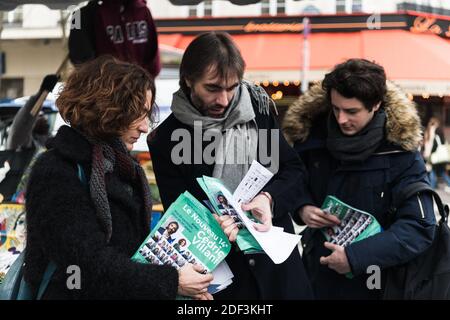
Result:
103,97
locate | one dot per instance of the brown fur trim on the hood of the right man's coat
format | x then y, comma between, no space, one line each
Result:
403,126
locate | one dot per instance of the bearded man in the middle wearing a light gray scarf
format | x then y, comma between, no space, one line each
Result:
220,117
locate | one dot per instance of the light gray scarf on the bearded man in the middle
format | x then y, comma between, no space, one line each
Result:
237,129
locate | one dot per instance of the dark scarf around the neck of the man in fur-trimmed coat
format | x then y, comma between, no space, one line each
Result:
359,147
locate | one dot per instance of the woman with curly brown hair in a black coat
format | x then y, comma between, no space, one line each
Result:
97,223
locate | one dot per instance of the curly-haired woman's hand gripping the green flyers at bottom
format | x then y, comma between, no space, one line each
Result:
192,283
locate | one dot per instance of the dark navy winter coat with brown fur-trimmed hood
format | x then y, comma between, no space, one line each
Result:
370,186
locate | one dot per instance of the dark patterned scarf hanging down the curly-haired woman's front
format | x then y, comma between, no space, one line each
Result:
108,158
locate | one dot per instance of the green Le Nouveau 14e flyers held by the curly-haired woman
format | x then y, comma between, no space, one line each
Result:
188,233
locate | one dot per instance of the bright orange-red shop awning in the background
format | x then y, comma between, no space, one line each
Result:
417,62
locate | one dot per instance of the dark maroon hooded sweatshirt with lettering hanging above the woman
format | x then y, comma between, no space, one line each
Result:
123,28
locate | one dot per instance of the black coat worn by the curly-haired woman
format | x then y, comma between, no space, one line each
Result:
62,227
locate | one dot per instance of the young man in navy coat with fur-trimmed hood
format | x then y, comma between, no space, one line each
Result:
358,137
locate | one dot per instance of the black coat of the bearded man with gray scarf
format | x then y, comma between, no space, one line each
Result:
255,276
